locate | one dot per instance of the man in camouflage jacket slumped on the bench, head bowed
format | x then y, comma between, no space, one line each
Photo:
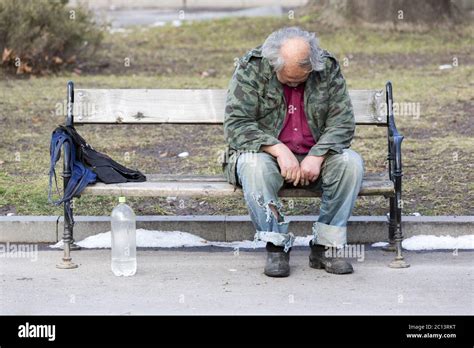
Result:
289,122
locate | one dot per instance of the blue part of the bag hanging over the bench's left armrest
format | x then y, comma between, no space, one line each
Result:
81,176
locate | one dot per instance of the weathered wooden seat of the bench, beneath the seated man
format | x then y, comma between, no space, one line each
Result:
216,186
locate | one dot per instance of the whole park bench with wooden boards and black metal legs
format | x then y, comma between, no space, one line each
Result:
206,106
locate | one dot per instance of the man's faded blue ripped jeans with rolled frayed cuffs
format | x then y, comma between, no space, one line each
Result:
340,181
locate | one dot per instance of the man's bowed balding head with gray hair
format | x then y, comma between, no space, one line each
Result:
293,53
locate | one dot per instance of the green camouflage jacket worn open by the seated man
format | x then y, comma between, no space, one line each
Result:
256,108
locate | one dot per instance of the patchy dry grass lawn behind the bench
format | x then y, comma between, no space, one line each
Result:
437,149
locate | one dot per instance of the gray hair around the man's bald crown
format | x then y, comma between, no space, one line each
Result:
272,45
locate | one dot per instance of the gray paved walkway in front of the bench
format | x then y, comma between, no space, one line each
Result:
206,281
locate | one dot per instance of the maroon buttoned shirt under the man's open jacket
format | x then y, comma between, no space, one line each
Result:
296,133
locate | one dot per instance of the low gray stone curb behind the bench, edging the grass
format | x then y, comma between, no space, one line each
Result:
361,229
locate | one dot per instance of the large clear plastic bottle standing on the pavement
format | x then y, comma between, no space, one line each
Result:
124,240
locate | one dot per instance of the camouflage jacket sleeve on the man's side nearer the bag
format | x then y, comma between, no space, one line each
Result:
241,129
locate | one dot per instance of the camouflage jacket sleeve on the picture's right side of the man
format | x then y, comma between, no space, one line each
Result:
340,123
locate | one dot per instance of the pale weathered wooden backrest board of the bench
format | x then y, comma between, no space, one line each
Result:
187,106
